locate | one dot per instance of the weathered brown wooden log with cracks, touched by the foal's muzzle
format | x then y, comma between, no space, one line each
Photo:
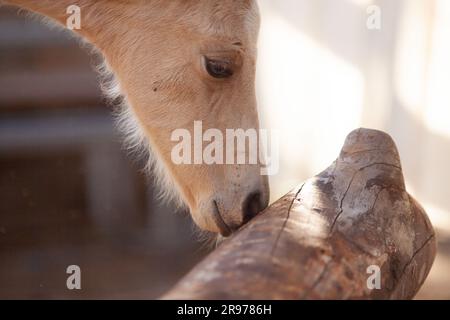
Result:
325,239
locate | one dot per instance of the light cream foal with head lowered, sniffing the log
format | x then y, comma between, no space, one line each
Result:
173,62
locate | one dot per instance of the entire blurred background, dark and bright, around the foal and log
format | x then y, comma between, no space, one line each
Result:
70,195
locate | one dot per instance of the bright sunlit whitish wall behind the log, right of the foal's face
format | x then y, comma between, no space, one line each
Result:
322,73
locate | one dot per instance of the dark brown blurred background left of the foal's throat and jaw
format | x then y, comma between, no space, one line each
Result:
69,194
